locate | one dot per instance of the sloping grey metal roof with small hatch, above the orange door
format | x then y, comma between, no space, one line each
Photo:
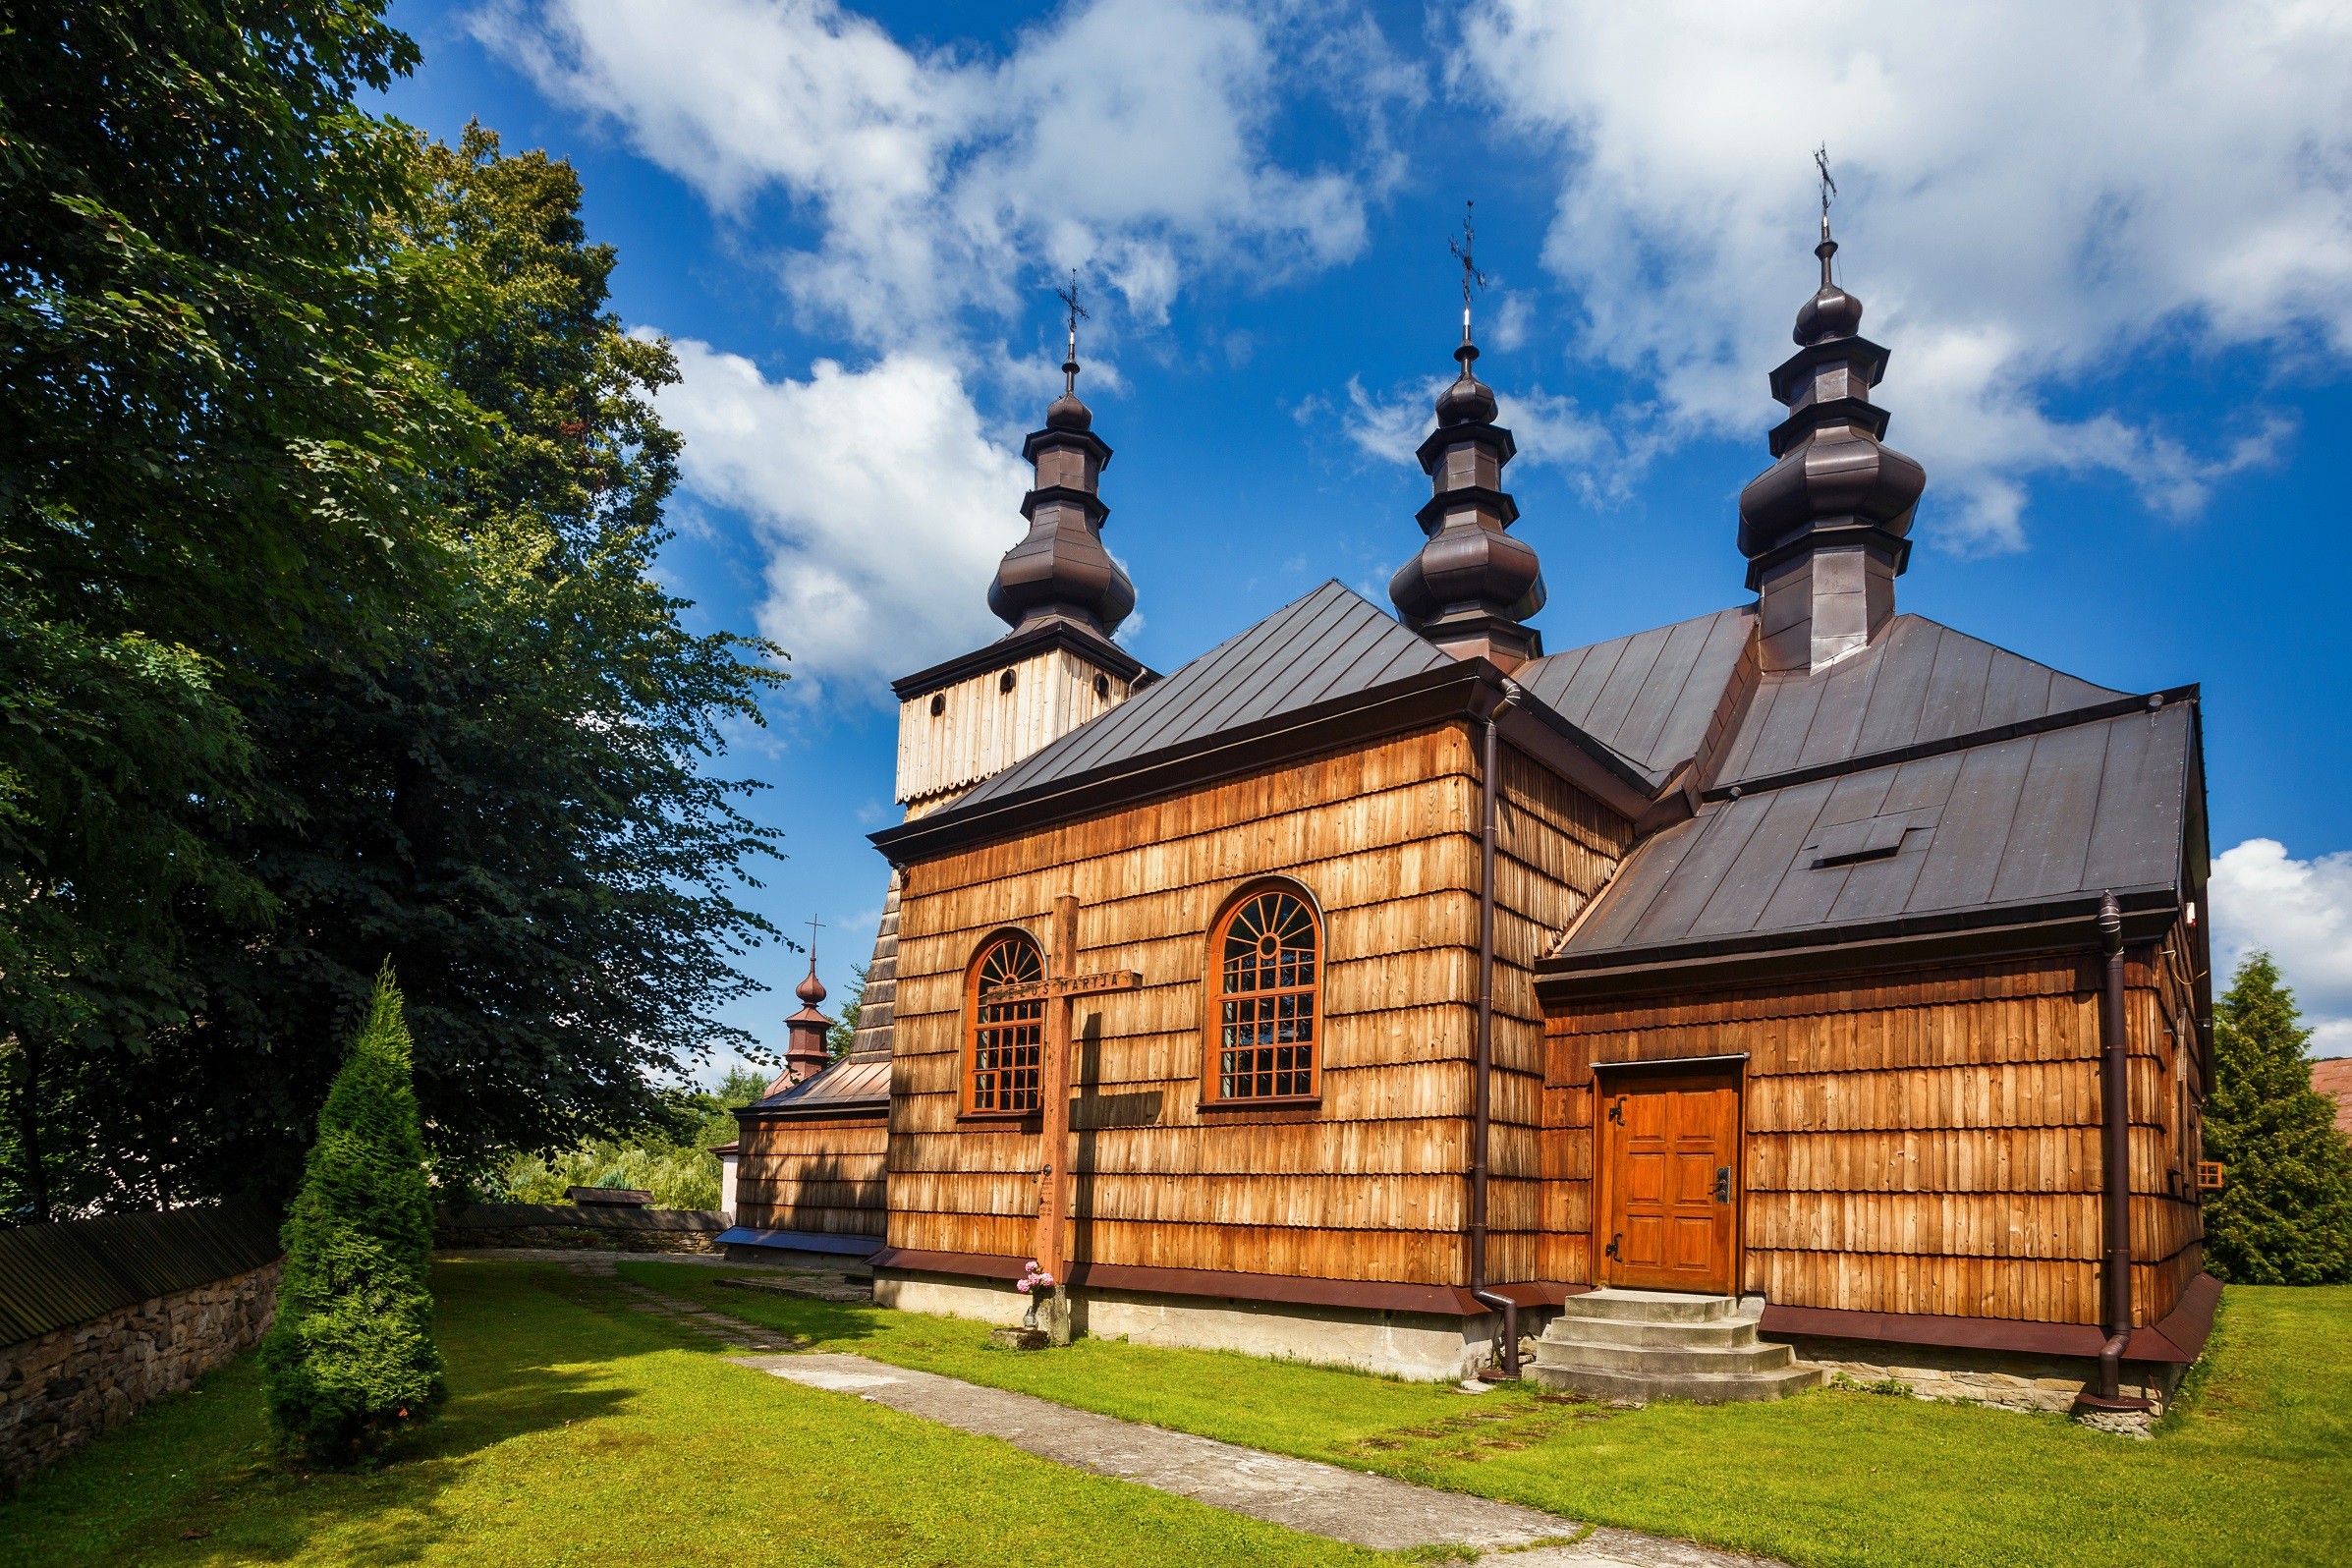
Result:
2014,824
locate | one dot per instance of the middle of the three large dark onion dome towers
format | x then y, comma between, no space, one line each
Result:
1471,587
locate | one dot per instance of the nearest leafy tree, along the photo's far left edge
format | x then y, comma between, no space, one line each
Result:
218,438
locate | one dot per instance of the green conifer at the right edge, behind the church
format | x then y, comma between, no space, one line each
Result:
2285,1212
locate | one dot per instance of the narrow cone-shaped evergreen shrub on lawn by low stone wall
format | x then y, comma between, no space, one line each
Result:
352,1355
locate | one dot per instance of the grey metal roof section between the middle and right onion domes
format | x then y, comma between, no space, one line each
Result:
1645,697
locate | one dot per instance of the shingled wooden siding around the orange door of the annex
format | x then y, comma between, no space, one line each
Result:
1920,1144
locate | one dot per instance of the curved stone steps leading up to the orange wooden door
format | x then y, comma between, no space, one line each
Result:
1659,1346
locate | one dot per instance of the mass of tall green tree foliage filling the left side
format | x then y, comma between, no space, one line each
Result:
330,497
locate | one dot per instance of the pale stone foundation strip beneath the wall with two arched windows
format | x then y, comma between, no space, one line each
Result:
1415,1346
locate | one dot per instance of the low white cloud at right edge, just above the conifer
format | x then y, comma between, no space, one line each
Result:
2301,913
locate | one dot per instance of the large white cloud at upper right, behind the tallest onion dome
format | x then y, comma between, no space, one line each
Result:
2026,192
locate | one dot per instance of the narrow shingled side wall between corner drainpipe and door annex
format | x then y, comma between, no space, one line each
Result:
1553,850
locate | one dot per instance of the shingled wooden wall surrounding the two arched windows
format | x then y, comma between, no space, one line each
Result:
1370,1184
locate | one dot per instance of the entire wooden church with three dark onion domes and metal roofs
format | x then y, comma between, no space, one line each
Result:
1805,986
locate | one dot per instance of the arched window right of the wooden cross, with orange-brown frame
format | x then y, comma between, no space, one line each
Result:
1267,981
